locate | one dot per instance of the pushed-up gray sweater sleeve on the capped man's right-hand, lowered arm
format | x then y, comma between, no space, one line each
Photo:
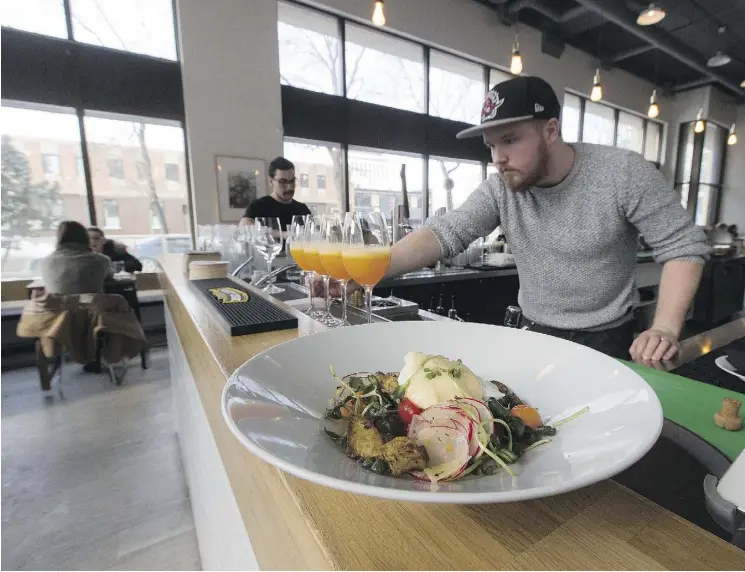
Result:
654,209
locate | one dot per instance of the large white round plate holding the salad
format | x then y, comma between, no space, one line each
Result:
274,404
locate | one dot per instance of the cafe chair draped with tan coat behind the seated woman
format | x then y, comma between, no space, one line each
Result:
82,328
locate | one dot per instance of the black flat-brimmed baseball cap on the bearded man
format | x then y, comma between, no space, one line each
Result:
516,99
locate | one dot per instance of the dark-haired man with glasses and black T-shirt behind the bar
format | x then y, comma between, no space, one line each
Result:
280,203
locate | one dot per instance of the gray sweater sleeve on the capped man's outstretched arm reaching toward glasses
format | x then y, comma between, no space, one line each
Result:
478,216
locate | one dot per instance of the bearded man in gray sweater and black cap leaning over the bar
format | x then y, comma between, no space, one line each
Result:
571,214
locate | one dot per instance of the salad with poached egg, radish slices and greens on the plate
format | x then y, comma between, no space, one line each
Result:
434,420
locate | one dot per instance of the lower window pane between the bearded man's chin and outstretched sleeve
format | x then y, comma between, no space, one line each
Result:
451,182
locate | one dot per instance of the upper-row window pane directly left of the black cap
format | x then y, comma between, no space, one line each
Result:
456,88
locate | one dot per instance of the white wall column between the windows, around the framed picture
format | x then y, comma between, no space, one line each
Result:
230,67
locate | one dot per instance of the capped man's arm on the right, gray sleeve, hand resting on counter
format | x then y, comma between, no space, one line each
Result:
655,210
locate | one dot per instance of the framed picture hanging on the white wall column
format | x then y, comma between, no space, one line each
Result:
239,181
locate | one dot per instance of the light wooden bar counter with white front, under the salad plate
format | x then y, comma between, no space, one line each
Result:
250,515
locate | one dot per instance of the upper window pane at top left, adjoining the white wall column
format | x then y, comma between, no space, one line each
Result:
139,26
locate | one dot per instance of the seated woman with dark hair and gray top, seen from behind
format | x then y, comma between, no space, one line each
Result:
73,268
